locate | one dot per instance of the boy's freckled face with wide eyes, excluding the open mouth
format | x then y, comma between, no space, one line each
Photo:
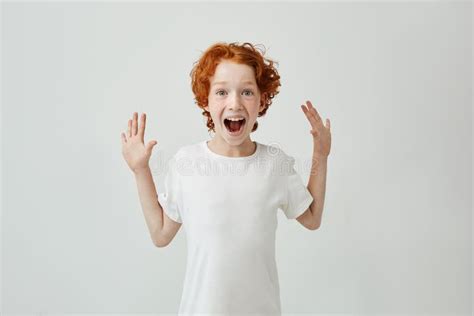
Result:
234,92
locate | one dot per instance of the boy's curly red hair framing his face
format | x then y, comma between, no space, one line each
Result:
266,76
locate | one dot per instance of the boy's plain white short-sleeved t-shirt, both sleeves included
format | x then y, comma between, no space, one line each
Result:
228,207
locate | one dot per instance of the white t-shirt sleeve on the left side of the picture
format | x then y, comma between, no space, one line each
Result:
169,195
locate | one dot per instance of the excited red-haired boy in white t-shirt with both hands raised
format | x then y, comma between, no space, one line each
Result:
229,207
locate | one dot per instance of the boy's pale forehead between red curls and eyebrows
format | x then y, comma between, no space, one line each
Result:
230,72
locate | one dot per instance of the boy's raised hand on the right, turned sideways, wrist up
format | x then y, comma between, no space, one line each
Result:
321,134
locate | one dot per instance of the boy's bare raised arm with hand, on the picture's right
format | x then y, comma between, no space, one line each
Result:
317,180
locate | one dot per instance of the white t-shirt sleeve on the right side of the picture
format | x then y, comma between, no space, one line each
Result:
297,196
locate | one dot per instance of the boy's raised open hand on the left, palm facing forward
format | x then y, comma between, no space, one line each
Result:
136,154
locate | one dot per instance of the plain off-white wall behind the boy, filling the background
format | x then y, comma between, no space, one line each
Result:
393,78
